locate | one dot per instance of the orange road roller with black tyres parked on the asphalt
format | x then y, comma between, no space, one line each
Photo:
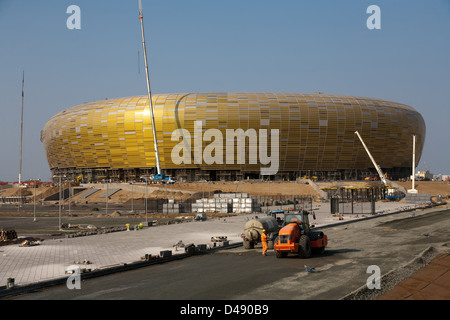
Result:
296,236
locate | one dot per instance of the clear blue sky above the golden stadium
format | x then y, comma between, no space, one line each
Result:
219,45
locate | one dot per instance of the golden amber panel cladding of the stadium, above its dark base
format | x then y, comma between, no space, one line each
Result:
316,131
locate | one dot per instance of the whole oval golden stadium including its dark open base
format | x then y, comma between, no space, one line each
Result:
234,136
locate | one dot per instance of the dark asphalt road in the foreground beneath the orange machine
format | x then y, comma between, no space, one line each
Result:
237,274
